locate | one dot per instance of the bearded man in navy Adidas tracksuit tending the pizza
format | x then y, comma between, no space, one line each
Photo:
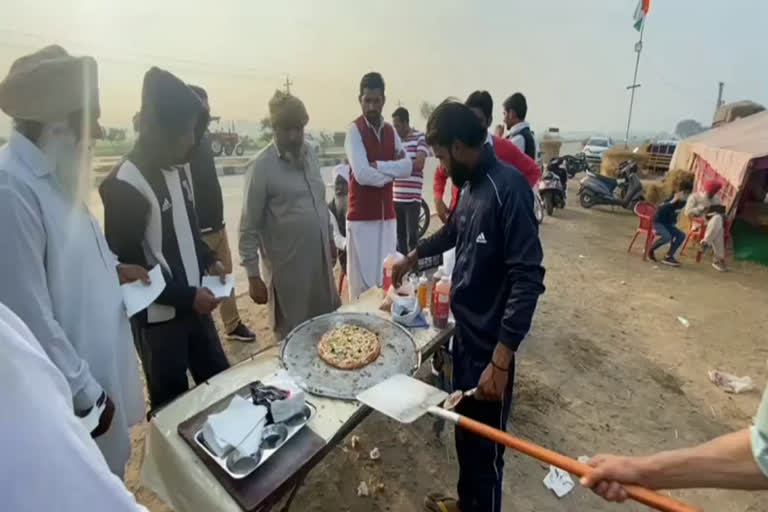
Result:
495,286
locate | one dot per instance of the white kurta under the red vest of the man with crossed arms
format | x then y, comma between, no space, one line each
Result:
370,241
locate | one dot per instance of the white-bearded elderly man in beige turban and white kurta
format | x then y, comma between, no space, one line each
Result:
56,270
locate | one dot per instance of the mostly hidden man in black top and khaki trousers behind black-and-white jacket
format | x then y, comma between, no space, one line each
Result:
209,207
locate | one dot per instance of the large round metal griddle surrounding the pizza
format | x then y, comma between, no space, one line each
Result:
299,357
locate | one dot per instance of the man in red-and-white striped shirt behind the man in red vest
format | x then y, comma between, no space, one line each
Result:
407,191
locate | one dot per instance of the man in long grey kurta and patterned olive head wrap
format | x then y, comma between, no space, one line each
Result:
285,234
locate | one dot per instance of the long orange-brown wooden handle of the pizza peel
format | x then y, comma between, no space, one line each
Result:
637,493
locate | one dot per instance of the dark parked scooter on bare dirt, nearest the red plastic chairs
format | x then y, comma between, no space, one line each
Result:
626,190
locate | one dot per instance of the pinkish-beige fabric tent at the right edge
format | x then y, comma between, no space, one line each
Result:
735,154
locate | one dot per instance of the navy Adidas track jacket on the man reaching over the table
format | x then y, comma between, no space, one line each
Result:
498,275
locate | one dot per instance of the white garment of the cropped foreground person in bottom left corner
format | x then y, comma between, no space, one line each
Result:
51,461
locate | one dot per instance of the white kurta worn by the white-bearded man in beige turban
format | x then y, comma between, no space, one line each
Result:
58,274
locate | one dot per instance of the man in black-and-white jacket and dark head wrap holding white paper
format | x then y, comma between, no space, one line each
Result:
149,219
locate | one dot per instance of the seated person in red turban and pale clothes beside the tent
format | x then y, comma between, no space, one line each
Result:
704,205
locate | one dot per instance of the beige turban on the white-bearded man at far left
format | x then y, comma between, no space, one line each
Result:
49,85
